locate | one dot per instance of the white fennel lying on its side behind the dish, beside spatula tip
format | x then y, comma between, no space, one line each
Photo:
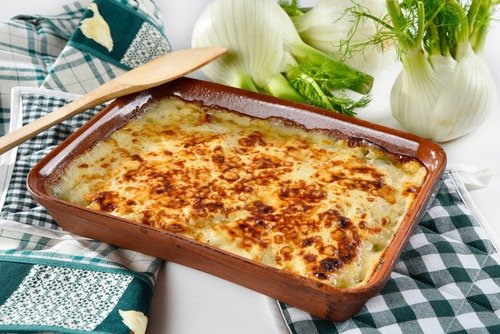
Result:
266,54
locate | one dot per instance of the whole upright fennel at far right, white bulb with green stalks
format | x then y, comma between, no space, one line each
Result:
445,89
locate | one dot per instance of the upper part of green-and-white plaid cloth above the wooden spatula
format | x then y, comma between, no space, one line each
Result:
56,51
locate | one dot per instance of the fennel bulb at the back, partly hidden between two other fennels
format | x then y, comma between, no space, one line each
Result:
330,26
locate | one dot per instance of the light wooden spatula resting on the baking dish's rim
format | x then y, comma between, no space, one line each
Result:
154,73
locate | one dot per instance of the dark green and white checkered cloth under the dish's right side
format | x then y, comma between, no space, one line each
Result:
446,281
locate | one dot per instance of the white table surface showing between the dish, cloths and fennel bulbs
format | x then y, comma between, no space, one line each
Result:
188,301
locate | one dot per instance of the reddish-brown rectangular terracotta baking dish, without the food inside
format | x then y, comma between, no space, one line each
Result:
312,296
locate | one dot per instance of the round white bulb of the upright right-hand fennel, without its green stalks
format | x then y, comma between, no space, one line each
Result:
442,98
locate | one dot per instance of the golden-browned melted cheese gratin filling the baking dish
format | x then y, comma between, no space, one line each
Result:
297,200
